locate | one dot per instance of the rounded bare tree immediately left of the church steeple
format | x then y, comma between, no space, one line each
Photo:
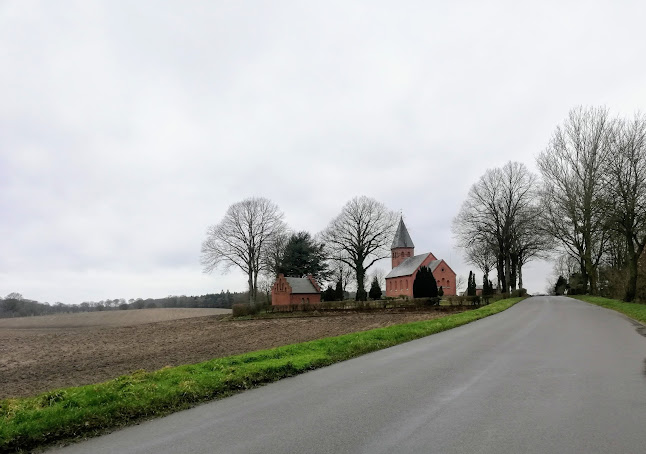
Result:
360,236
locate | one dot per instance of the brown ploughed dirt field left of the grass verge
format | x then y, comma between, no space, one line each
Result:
37,356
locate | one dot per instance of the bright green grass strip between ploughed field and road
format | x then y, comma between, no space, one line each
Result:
90,410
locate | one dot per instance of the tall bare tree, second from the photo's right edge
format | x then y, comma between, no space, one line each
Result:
572,167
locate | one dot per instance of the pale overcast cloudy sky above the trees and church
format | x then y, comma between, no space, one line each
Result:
127,128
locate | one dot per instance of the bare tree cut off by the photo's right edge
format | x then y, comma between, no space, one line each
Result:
625,174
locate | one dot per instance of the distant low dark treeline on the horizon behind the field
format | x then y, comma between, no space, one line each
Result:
14,305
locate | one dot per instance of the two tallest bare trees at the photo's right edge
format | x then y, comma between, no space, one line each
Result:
594,194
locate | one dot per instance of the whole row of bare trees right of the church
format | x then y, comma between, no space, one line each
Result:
588,207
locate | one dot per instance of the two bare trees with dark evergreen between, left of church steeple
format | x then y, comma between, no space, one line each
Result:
253,238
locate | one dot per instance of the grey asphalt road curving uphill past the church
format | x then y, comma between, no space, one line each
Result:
549,375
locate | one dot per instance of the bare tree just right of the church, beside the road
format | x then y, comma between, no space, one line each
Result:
497,214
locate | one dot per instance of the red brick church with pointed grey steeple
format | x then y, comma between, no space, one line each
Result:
406,264
